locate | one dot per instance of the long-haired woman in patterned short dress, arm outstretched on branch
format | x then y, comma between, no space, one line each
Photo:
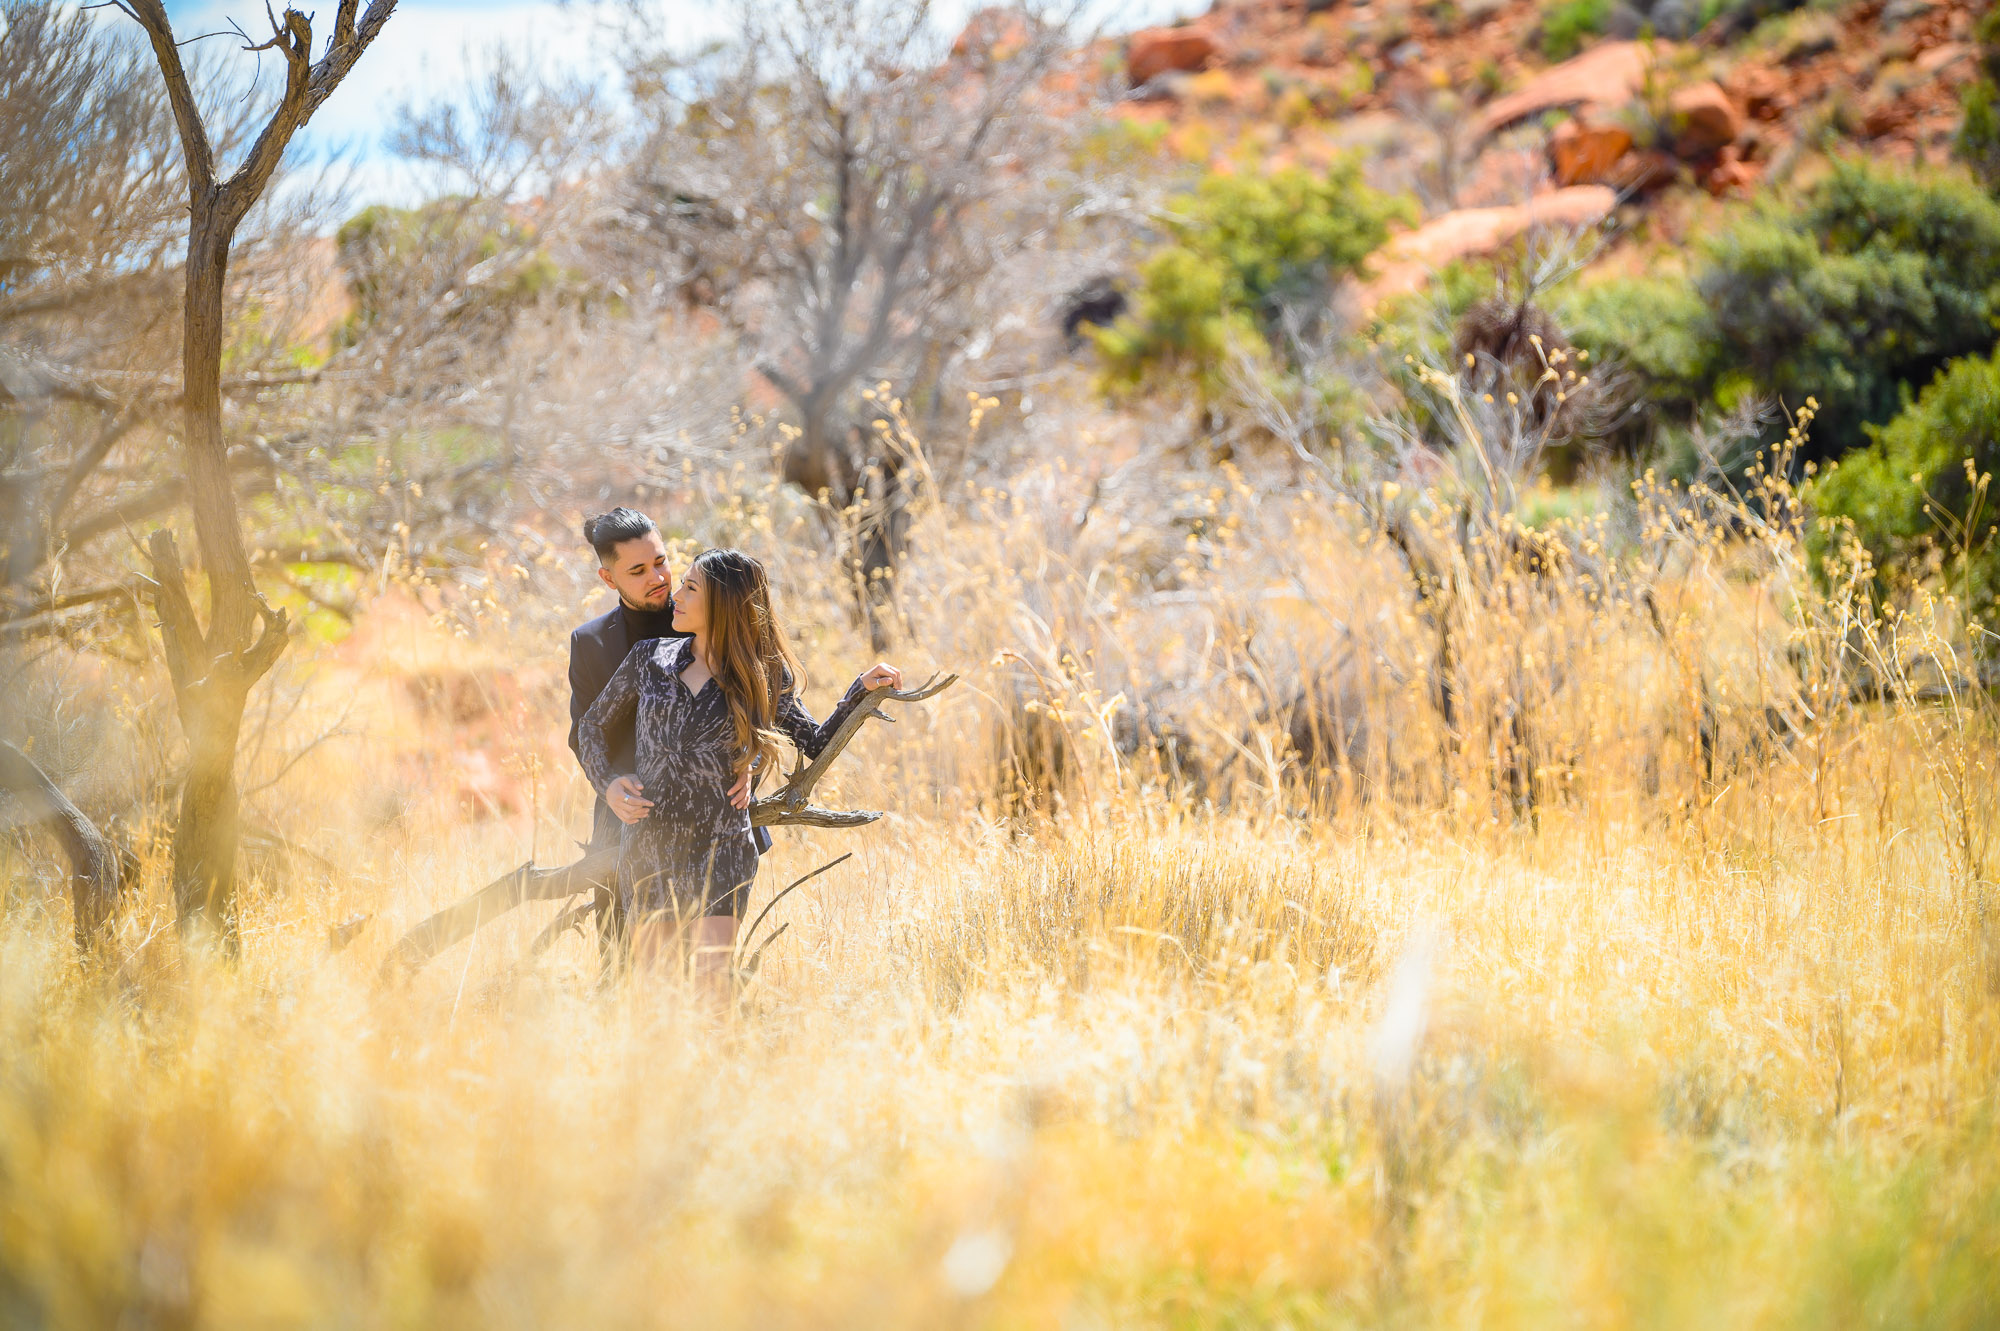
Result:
709,708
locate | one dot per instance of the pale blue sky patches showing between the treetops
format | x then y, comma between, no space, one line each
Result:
433,47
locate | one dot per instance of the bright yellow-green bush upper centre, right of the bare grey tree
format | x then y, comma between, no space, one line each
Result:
1243,253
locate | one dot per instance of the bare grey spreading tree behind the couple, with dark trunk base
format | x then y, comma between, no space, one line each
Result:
835,187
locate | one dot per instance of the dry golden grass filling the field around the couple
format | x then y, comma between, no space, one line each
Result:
1387,1046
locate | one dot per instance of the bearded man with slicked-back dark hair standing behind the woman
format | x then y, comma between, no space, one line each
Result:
633,565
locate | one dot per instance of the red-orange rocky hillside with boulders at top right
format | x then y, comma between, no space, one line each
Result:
1461,103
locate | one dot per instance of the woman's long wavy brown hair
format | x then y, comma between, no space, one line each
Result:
753,663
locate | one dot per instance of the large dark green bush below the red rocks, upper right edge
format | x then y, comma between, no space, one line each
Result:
1855,295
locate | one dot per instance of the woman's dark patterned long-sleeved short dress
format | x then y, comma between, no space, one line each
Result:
693,854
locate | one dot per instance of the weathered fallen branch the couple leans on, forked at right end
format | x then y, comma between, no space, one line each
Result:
791,806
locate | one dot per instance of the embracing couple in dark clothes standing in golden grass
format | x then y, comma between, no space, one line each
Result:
679,698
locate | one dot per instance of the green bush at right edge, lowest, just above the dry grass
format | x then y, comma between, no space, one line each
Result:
1917,497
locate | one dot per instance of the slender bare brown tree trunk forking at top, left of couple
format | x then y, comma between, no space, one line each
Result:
215,670
